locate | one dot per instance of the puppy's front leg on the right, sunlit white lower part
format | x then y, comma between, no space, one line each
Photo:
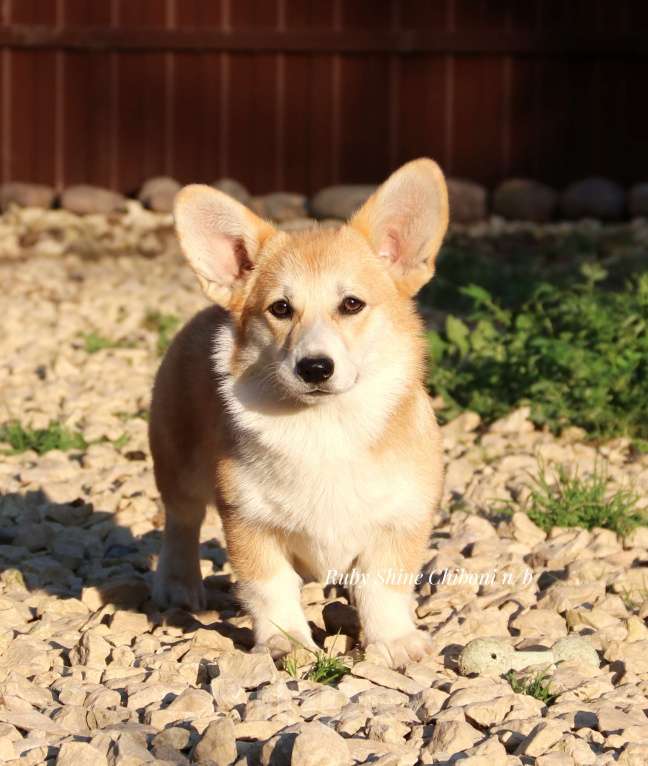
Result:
383,597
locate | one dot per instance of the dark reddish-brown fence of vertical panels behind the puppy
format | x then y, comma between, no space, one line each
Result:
298,94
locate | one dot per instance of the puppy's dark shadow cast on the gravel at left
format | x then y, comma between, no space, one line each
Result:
70,550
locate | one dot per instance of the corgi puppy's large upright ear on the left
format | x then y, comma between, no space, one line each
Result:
219,237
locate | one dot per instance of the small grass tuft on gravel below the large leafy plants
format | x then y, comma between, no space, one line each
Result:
565,499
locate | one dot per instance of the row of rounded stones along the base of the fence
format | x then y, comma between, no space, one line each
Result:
516,199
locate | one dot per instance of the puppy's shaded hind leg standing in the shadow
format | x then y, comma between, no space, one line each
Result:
178,581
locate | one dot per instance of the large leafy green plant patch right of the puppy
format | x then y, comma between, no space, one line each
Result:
577,353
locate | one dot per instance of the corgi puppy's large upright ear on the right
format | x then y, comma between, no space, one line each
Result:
405,221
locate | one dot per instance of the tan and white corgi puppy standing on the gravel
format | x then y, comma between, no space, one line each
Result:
297,406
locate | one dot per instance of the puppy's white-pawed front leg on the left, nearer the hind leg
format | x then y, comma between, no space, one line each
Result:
268,586
